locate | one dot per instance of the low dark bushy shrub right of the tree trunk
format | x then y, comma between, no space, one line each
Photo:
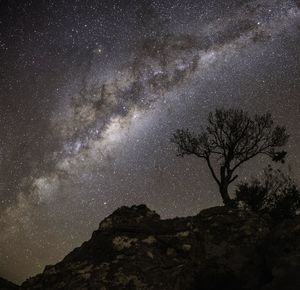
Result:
275,193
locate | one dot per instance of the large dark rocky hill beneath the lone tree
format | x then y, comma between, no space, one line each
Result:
217,249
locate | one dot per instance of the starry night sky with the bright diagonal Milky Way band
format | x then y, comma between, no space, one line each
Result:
91,92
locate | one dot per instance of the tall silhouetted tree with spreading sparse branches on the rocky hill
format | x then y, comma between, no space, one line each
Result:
231,138
